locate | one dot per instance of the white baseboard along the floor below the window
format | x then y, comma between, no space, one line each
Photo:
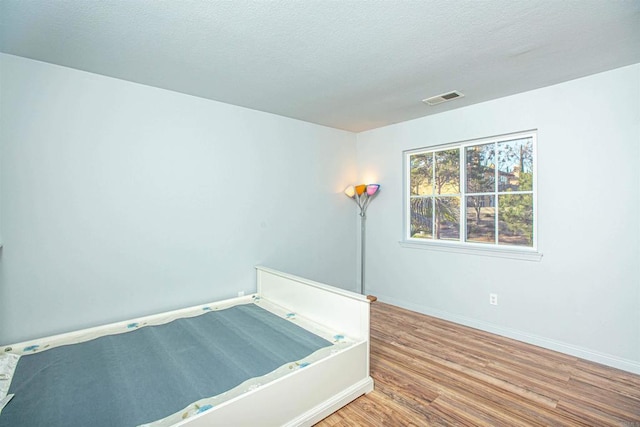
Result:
581,352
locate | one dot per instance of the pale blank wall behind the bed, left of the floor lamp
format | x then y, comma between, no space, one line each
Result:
120,199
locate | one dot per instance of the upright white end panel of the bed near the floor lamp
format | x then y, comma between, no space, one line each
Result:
336,308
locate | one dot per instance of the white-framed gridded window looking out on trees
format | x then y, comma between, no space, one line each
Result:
476,194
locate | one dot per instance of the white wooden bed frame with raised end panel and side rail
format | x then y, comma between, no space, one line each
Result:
305,396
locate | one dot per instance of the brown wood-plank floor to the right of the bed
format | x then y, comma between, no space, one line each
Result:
430,372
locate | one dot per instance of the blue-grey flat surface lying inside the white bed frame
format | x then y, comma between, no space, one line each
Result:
149,373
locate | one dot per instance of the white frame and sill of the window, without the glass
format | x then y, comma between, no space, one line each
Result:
532,253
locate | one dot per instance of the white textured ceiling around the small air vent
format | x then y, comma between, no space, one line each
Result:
353,65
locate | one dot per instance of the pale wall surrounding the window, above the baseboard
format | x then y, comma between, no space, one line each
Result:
583,298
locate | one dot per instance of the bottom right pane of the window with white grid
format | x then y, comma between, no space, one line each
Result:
515,215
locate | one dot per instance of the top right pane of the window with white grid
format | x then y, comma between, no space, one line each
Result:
515,165
